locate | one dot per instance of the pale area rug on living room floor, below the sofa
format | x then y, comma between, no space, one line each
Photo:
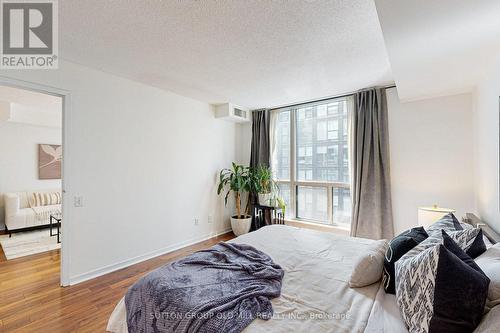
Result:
28,243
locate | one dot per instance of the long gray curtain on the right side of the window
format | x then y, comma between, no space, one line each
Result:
371,183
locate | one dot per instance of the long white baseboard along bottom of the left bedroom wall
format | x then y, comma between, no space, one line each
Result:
132,261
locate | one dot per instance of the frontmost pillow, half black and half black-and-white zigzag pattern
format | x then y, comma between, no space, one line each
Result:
441,289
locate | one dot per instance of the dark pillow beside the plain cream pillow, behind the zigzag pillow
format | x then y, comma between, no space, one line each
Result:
398,246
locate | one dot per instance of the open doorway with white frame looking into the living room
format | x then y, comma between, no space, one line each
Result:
32,195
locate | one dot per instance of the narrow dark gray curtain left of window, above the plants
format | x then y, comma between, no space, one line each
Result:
260,138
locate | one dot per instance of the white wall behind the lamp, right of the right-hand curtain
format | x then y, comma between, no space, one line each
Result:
431,144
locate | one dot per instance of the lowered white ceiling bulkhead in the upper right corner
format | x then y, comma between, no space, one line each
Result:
439,47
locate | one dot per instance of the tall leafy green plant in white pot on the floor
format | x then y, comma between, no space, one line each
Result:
237,180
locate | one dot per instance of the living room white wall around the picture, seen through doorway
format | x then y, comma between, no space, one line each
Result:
19,159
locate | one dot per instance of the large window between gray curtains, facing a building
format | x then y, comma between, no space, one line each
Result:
311,161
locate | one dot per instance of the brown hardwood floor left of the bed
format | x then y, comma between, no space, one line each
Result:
31,299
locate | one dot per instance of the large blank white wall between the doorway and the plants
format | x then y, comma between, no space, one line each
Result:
144,160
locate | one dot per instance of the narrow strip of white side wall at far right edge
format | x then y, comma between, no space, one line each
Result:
486,122
